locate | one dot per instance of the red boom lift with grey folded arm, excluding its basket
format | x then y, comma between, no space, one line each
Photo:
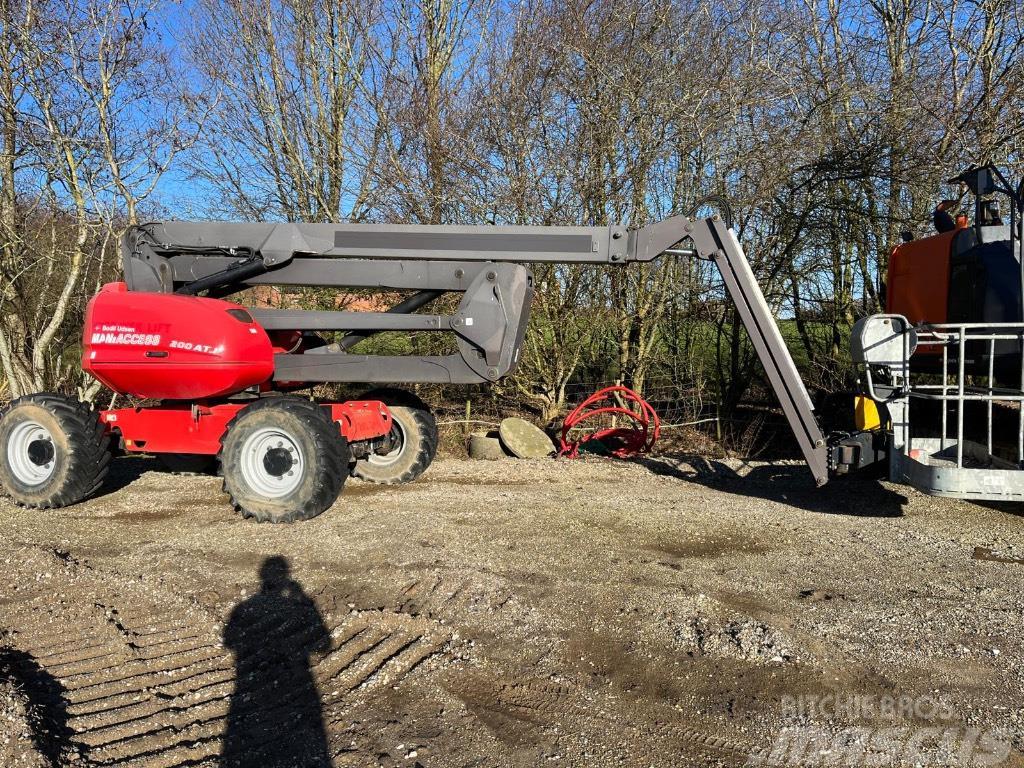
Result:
220,378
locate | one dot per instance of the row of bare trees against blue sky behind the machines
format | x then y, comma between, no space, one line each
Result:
831,127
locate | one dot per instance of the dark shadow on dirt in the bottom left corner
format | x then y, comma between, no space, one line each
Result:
46,705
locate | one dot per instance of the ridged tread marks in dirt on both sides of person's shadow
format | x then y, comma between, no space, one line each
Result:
147,678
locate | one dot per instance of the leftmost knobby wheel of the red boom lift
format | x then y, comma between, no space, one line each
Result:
54,451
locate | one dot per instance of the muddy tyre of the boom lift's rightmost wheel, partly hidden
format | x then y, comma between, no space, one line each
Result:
417,433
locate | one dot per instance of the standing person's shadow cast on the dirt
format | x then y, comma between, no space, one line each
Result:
276,718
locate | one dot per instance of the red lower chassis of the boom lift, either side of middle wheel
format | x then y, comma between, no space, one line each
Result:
185,429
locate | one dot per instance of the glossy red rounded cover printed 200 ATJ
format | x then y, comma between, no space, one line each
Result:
167,347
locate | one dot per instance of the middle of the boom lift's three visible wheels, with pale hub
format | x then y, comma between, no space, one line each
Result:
283,460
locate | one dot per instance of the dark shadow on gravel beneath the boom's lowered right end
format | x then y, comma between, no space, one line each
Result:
862,496
